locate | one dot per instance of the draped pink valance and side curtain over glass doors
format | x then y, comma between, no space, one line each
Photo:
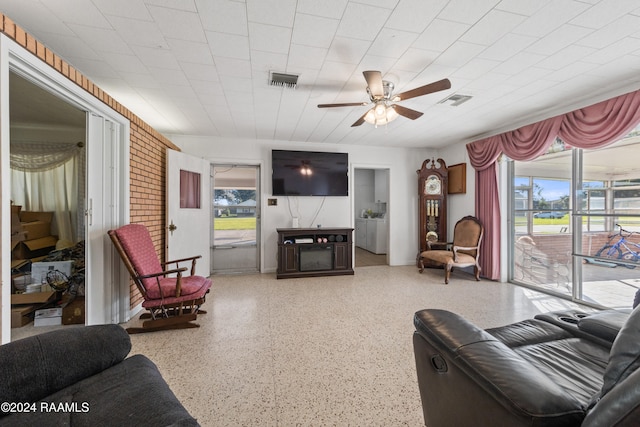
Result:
594,126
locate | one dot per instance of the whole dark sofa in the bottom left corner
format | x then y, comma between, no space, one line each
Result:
83,377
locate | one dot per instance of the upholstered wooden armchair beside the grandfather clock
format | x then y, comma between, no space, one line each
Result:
465,249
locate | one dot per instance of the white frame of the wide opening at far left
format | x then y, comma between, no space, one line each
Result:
114,190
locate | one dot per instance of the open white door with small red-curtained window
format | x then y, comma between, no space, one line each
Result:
188,209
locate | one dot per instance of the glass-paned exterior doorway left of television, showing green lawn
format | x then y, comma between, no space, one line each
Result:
236,219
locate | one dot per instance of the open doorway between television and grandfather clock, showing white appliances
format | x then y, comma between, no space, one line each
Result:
370,201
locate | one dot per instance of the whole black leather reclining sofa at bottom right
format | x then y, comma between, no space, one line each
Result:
558,369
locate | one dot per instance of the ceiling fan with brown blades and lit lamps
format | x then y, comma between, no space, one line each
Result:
381,95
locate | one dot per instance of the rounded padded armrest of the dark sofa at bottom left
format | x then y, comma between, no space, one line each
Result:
37,366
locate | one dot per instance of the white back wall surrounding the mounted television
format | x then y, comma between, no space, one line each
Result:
335,211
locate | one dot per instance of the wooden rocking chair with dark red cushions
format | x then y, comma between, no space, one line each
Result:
172,299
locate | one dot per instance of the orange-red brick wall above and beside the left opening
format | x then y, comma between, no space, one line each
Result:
148,147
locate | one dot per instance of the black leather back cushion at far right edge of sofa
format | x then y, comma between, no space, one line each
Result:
624,358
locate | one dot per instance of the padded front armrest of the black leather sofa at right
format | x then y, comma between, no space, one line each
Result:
494,369
